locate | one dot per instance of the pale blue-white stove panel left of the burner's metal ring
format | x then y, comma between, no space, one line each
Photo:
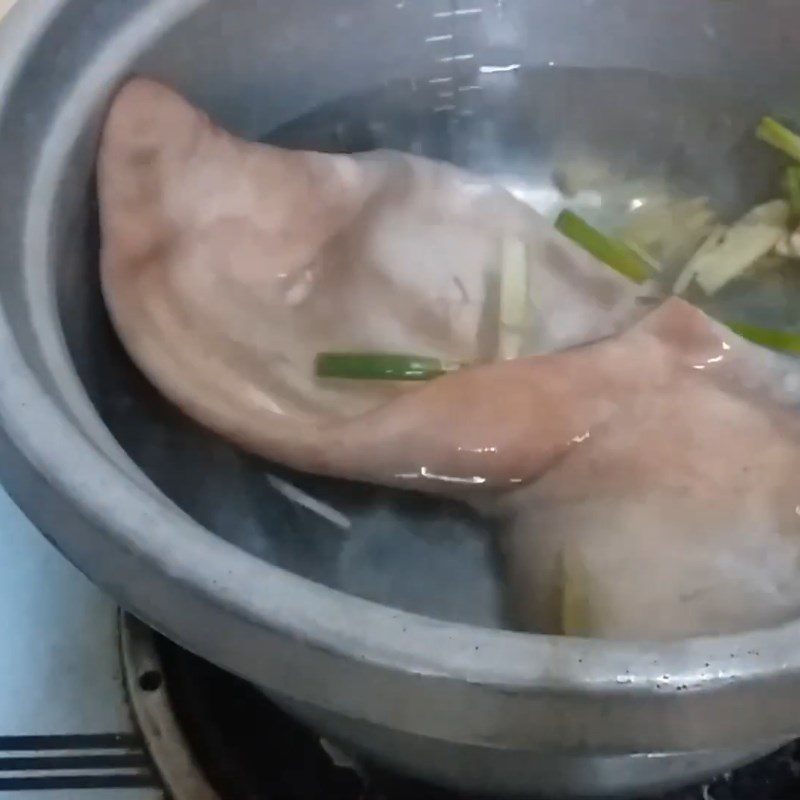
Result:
59,664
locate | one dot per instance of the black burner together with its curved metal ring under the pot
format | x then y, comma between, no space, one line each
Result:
195,714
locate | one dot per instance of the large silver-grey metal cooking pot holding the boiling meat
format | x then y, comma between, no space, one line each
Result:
159,514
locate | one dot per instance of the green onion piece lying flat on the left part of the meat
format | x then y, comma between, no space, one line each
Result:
380,367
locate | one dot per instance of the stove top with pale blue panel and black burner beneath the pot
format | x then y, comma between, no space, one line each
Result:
75,673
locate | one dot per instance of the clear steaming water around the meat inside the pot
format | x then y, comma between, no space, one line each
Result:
420,554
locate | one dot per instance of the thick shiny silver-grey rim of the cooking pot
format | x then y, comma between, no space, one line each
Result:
161,536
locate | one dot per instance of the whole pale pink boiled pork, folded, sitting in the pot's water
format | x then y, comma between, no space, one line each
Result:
667,448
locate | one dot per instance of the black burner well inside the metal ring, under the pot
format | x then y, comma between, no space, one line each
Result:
250,750
